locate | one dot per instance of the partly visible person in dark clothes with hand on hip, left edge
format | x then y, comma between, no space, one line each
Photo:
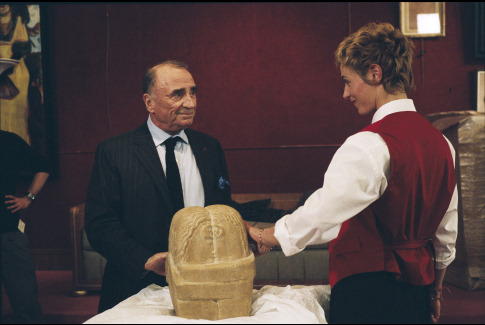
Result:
17,270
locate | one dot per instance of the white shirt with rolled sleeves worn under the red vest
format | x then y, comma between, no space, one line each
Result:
356,177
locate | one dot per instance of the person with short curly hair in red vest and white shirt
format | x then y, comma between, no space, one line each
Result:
388,204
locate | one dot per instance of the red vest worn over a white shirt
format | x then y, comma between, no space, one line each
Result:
392,233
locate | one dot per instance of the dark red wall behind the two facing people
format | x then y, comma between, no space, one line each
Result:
268,87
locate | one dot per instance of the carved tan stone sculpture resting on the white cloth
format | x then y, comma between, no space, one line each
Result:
210,268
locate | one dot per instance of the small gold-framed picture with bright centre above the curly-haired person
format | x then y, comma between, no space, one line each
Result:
422,19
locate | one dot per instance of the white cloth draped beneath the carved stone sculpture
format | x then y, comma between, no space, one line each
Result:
270,305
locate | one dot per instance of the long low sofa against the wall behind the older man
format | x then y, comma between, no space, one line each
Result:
260,209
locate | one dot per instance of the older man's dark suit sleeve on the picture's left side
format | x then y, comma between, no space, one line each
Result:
103,218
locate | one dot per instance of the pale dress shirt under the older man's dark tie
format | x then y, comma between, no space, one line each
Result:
192,187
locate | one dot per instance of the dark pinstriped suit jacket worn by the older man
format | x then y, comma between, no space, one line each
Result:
128,208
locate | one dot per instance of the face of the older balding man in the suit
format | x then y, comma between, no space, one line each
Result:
173,100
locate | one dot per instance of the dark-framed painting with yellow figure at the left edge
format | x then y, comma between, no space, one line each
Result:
26,107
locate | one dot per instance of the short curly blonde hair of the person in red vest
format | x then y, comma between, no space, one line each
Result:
380,44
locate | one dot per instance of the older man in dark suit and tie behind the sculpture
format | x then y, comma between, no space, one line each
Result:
129,206
